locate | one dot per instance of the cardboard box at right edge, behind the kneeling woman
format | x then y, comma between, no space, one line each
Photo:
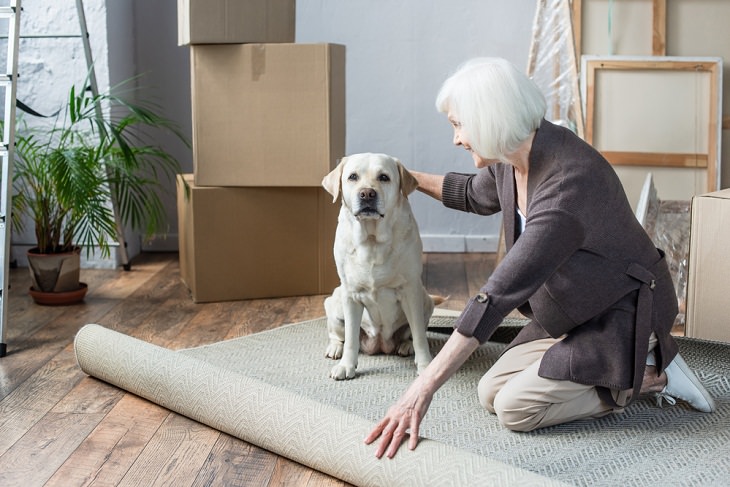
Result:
708,283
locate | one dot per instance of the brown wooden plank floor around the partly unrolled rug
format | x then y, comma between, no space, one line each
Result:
60,427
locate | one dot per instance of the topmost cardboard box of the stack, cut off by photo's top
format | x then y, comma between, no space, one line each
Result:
235,21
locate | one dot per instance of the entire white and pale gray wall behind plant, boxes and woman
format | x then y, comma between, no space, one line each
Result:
398,54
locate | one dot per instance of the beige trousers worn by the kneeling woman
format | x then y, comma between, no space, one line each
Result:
524,401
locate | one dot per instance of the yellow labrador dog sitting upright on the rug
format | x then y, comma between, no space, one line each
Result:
381,305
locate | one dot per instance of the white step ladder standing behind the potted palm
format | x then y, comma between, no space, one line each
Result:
9,81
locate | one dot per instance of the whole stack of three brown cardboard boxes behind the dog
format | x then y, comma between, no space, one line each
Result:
268,124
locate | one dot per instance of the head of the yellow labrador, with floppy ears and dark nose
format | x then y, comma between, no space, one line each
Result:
370,184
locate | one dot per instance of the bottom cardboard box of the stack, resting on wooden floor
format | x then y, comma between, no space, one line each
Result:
245,243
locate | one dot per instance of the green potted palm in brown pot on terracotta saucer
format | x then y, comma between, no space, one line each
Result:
66,176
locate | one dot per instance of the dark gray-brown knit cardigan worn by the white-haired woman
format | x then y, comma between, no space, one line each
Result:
583,266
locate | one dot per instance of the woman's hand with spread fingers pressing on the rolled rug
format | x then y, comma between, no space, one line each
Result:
403,416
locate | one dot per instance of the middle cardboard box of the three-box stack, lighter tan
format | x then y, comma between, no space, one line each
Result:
267,114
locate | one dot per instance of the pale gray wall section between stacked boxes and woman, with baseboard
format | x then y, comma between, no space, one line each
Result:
398,54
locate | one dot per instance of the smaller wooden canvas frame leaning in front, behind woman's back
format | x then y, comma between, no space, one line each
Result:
710,159
